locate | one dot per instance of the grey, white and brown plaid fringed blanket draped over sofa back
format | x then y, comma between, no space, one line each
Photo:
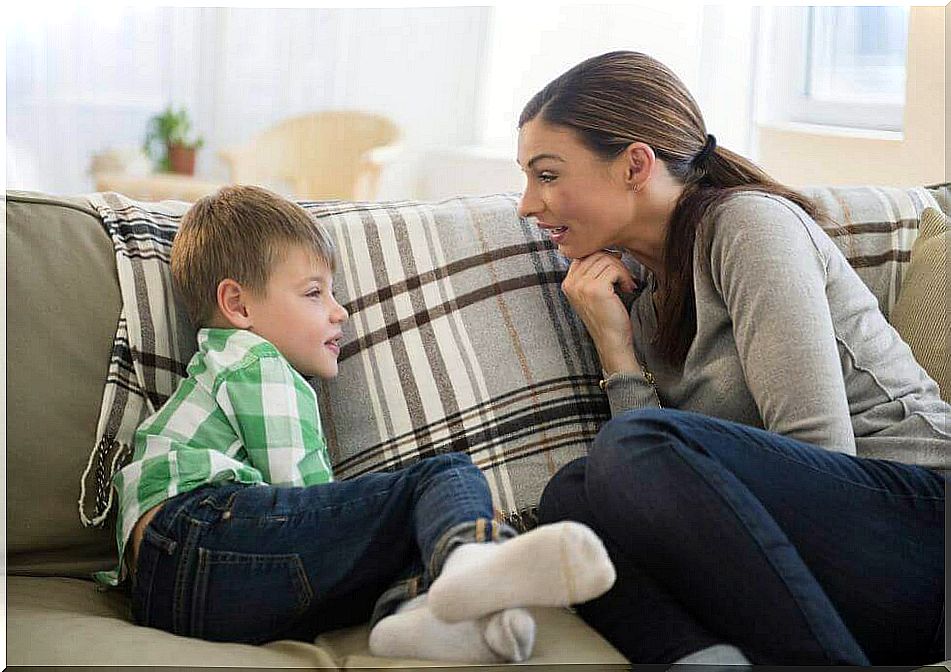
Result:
459,338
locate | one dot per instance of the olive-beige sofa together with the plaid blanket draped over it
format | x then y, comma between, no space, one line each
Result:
459,339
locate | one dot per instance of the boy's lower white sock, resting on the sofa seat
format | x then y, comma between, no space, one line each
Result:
414,632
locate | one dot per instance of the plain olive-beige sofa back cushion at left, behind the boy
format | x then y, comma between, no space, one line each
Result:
62,308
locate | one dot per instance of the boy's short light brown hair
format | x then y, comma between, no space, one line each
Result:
239,232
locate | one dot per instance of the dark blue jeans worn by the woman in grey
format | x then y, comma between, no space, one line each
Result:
725,533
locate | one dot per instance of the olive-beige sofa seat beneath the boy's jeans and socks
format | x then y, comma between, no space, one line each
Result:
60,621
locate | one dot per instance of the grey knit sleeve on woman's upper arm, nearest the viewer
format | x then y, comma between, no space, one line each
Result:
768,266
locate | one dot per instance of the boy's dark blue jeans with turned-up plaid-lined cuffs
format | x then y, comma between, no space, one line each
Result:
255,563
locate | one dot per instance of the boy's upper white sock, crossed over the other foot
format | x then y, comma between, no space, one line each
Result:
551,566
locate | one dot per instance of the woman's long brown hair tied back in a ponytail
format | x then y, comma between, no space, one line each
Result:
622,97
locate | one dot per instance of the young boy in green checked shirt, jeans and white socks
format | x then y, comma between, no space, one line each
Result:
231,525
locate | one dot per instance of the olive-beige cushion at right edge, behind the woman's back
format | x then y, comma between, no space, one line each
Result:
921,313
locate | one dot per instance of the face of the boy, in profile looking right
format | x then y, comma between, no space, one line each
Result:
299,314
